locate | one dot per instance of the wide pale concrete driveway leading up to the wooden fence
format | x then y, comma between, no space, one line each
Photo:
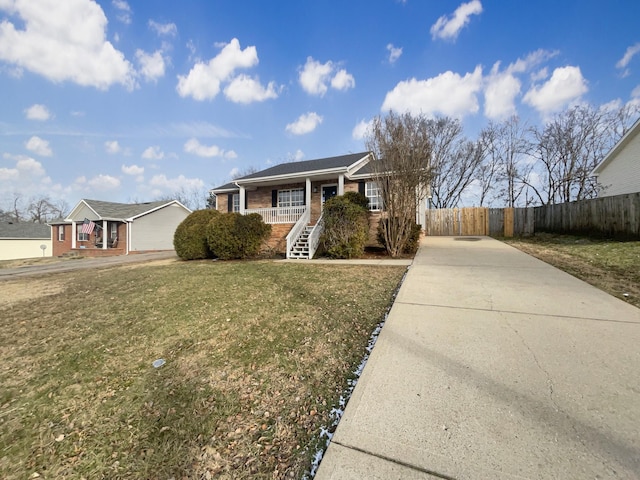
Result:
494,365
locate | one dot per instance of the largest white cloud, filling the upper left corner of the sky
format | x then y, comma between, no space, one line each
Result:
63,41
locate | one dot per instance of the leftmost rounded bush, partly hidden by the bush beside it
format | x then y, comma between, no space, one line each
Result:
190,237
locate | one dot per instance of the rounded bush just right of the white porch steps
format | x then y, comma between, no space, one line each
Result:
346,228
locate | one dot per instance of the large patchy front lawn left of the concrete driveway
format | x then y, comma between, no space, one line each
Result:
257,354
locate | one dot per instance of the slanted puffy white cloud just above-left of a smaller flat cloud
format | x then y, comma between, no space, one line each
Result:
204,79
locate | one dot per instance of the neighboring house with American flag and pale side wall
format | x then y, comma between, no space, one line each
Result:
96,228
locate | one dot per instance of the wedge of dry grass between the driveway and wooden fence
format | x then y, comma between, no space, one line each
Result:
612,266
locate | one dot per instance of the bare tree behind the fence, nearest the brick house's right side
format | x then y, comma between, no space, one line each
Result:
454,160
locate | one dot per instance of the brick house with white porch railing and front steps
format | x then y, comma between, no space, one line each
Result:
290,196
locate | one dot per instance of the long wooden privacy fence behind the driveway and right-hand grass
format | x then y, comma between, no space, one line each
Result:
615,216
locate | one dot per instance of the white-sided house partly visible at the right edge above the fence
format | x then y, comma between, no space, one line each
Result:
619,172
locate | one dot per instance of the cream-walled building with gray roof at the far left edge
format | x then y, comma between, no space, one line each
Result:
24,240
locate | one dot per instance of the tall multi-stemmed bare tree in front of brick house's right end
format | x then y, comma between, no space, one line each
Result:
402,147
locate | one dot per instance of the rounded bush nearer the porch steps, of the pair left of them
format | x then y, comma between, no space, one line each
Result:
232,235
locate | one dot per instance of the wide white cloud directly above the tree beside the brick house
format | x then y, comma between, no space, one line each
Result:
448,94
